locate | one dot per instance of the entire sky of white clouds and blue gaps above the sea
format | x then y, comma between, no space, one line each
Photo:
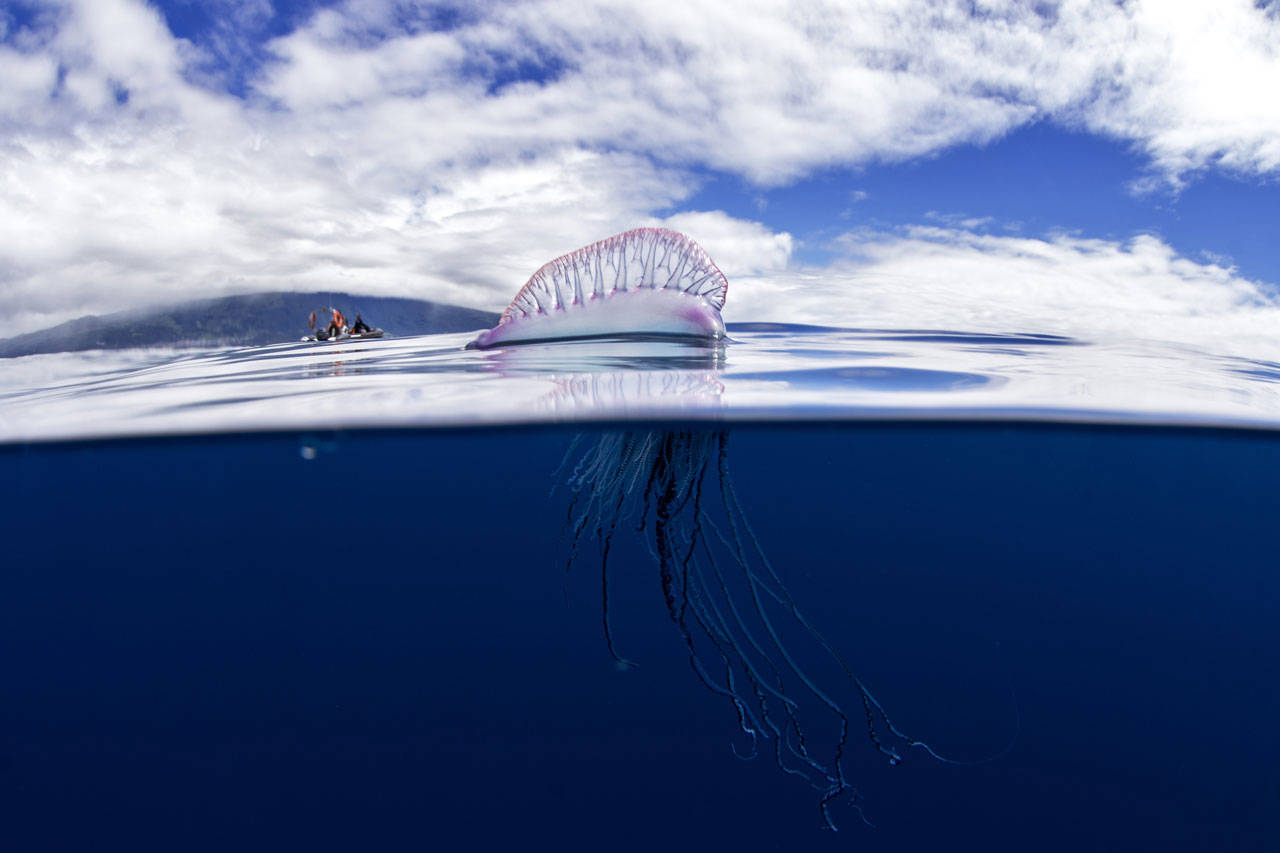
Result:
1080,167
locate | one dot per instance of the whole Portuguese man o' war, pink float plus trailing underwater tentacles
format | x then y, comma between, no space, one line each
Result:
673,487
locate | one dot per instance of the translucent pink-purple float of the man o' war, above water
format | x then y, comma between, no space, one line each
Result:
647,281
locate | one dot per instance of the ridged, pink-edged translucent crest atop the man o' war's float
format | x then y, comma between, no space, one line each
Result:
656,259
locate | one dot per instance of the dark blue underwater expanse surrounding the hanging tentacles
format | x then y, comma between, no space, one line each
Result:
217,644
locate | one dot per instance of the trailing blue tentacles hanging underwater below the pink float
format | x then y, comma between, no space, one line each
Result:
723,594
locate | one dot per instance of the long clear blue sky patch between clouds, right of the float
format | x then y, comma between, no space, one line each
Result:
1035,181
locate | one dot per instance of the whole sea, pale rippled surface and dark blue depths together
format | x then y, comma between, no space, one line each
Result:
927,589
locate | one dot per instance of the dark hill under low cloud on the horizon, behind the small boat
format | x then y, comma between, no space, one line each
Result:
244,321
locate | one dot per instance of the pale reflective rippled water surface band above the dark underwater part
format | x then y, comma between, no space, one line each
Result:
765,372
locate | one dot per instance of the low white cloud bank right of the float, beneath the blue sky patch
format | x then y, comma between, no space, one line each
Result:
1096,290
